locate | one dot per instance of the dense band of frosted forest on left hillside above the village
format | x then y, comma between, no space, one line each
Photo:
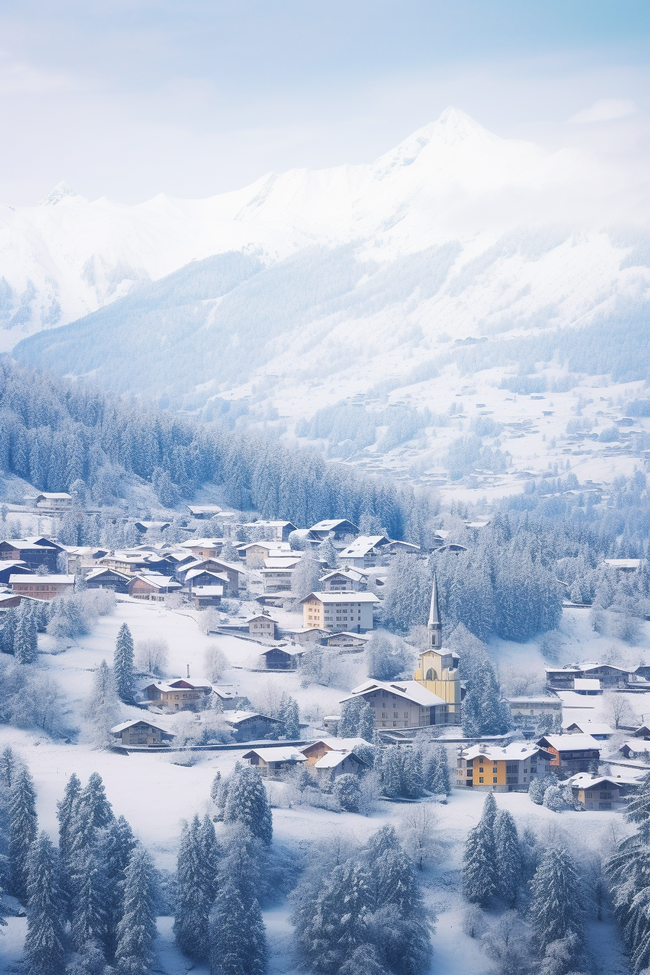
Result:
57,432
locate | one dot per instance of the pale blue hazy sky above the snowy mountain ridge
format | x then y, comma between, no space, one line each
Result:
133,98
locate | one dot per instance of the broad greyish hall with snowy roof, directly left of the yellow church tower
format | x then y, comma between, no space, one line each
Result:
401,704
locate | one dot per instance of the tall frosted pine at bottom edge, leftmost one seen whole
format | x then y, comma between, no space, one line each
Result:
44,944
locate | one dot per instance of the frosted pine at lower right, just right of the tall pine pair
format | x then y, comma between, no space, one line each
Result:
557,899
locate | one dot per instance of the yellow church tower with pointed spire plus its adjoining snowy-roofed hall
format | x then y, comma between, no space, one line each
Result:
433,696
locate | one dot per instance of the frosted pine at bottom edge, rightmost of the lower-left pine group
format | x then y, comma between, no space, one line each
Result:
137,929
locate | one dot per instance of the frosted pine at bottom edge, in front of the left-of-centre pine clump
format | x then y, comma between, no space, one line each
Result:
237,934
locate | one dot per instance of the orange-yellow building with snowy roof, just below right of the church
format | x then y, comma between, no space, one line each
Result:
510,768
